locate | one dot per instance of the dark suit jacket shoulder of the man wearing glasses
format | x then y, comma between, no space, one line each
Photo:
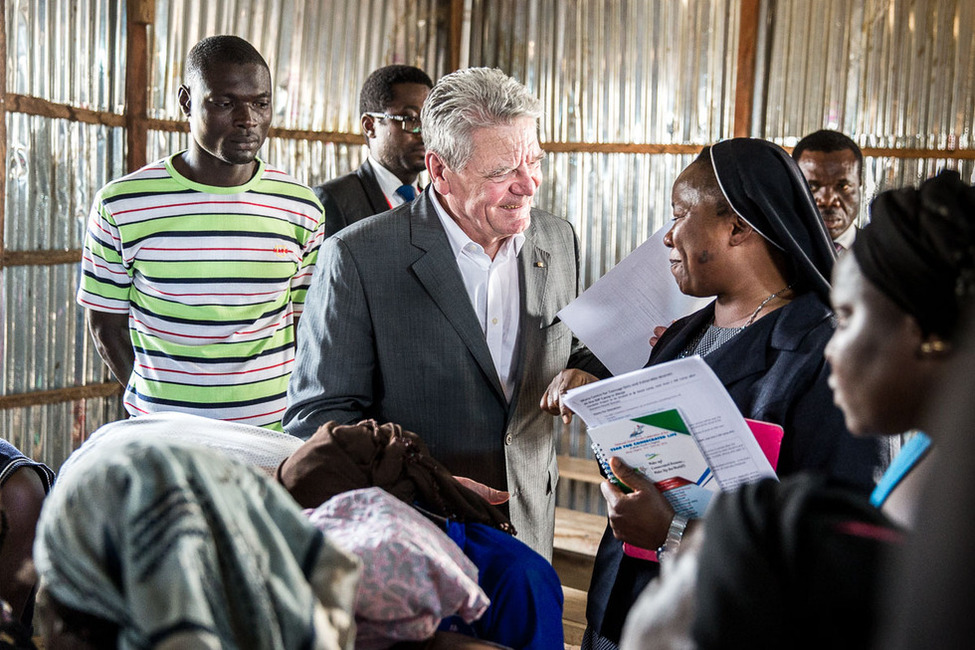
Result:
351,198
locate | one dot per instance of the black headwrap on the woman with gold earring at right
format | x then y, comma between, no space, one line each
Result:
919,247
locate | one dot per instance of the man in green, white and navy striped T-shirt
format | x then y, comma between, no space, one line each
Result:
195,267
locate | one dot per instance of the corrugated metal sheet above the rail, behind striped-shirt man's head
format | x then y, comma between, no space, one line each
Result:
319,52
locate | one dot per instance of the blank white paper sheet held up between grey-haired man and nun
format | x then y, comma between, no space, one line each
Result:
615,317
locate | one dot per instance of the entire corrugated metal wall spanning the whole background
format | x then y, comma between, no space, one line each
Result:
630,88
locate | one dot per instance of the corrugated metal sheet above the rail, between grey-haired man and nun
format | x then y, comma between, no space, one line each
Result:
654,71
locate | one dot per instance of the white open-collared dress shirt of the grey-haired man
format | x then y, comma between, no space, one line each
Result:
492,286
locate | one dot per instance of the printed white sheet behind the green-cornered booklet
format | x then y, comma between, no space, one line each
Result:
690,386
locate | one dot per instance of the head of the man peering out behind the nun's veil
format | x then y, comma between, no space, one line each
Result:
832,164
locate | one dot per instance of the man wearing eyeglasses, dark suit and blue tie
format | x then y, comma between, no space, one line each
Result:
389,109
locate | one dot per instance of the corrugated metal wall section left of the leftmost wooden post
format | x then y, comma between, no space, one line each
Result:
71,53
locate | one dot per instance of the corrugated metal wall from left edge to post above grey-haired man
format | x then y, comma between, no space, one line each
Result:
73,53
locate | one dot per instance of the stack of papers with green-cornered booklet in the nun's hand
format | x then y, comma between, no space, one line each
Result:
677,424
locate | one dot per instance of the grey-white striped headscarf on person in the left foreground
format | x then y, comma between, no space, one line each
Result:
182,546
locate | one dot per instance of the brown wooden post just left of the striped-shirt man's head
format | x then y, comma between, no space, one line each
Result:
139,15
